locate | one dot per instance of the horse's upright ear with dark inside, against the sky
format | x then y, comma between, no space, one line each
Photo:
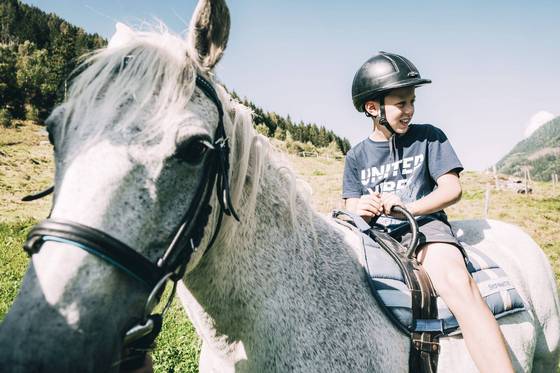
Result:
208,32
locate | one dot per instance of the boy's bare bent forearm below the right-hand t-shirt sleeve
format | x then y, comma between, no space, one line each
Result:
446,194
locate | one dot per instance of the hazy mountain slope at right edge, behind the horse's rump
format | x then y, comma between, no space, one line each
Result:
540,153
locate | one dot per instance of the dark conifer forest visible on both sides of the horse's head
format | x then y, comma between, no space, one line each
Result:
38,52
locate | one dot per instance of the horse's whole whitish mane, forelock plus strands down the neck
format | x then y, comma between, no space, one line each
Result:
151,68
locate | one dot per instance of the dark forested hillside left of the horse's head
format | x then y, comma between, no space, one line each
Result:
38,51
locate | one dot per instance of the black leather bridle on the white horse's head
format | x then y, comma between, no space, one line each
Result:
172,264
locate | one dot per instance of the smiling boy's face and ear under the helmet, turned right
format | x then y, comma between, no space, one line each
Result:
399,108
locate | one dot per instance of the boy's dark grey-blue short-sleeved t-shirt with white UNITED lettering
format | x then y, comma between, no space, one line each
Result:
409,169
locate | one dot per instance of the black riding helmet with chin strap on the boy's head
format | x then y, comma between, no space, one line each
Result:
379,75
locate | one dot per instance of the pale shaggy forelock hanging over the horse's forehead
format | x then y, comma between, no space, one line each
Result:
141,87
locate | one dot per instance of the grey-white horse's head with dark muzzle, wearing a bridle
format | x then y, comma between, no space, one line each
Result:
142,180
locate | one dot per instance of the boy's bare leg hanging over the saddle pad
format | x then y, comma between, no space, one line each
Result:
446,267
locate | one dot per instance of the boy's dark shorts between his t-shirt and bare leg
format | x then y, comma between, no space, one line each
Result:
431,230
